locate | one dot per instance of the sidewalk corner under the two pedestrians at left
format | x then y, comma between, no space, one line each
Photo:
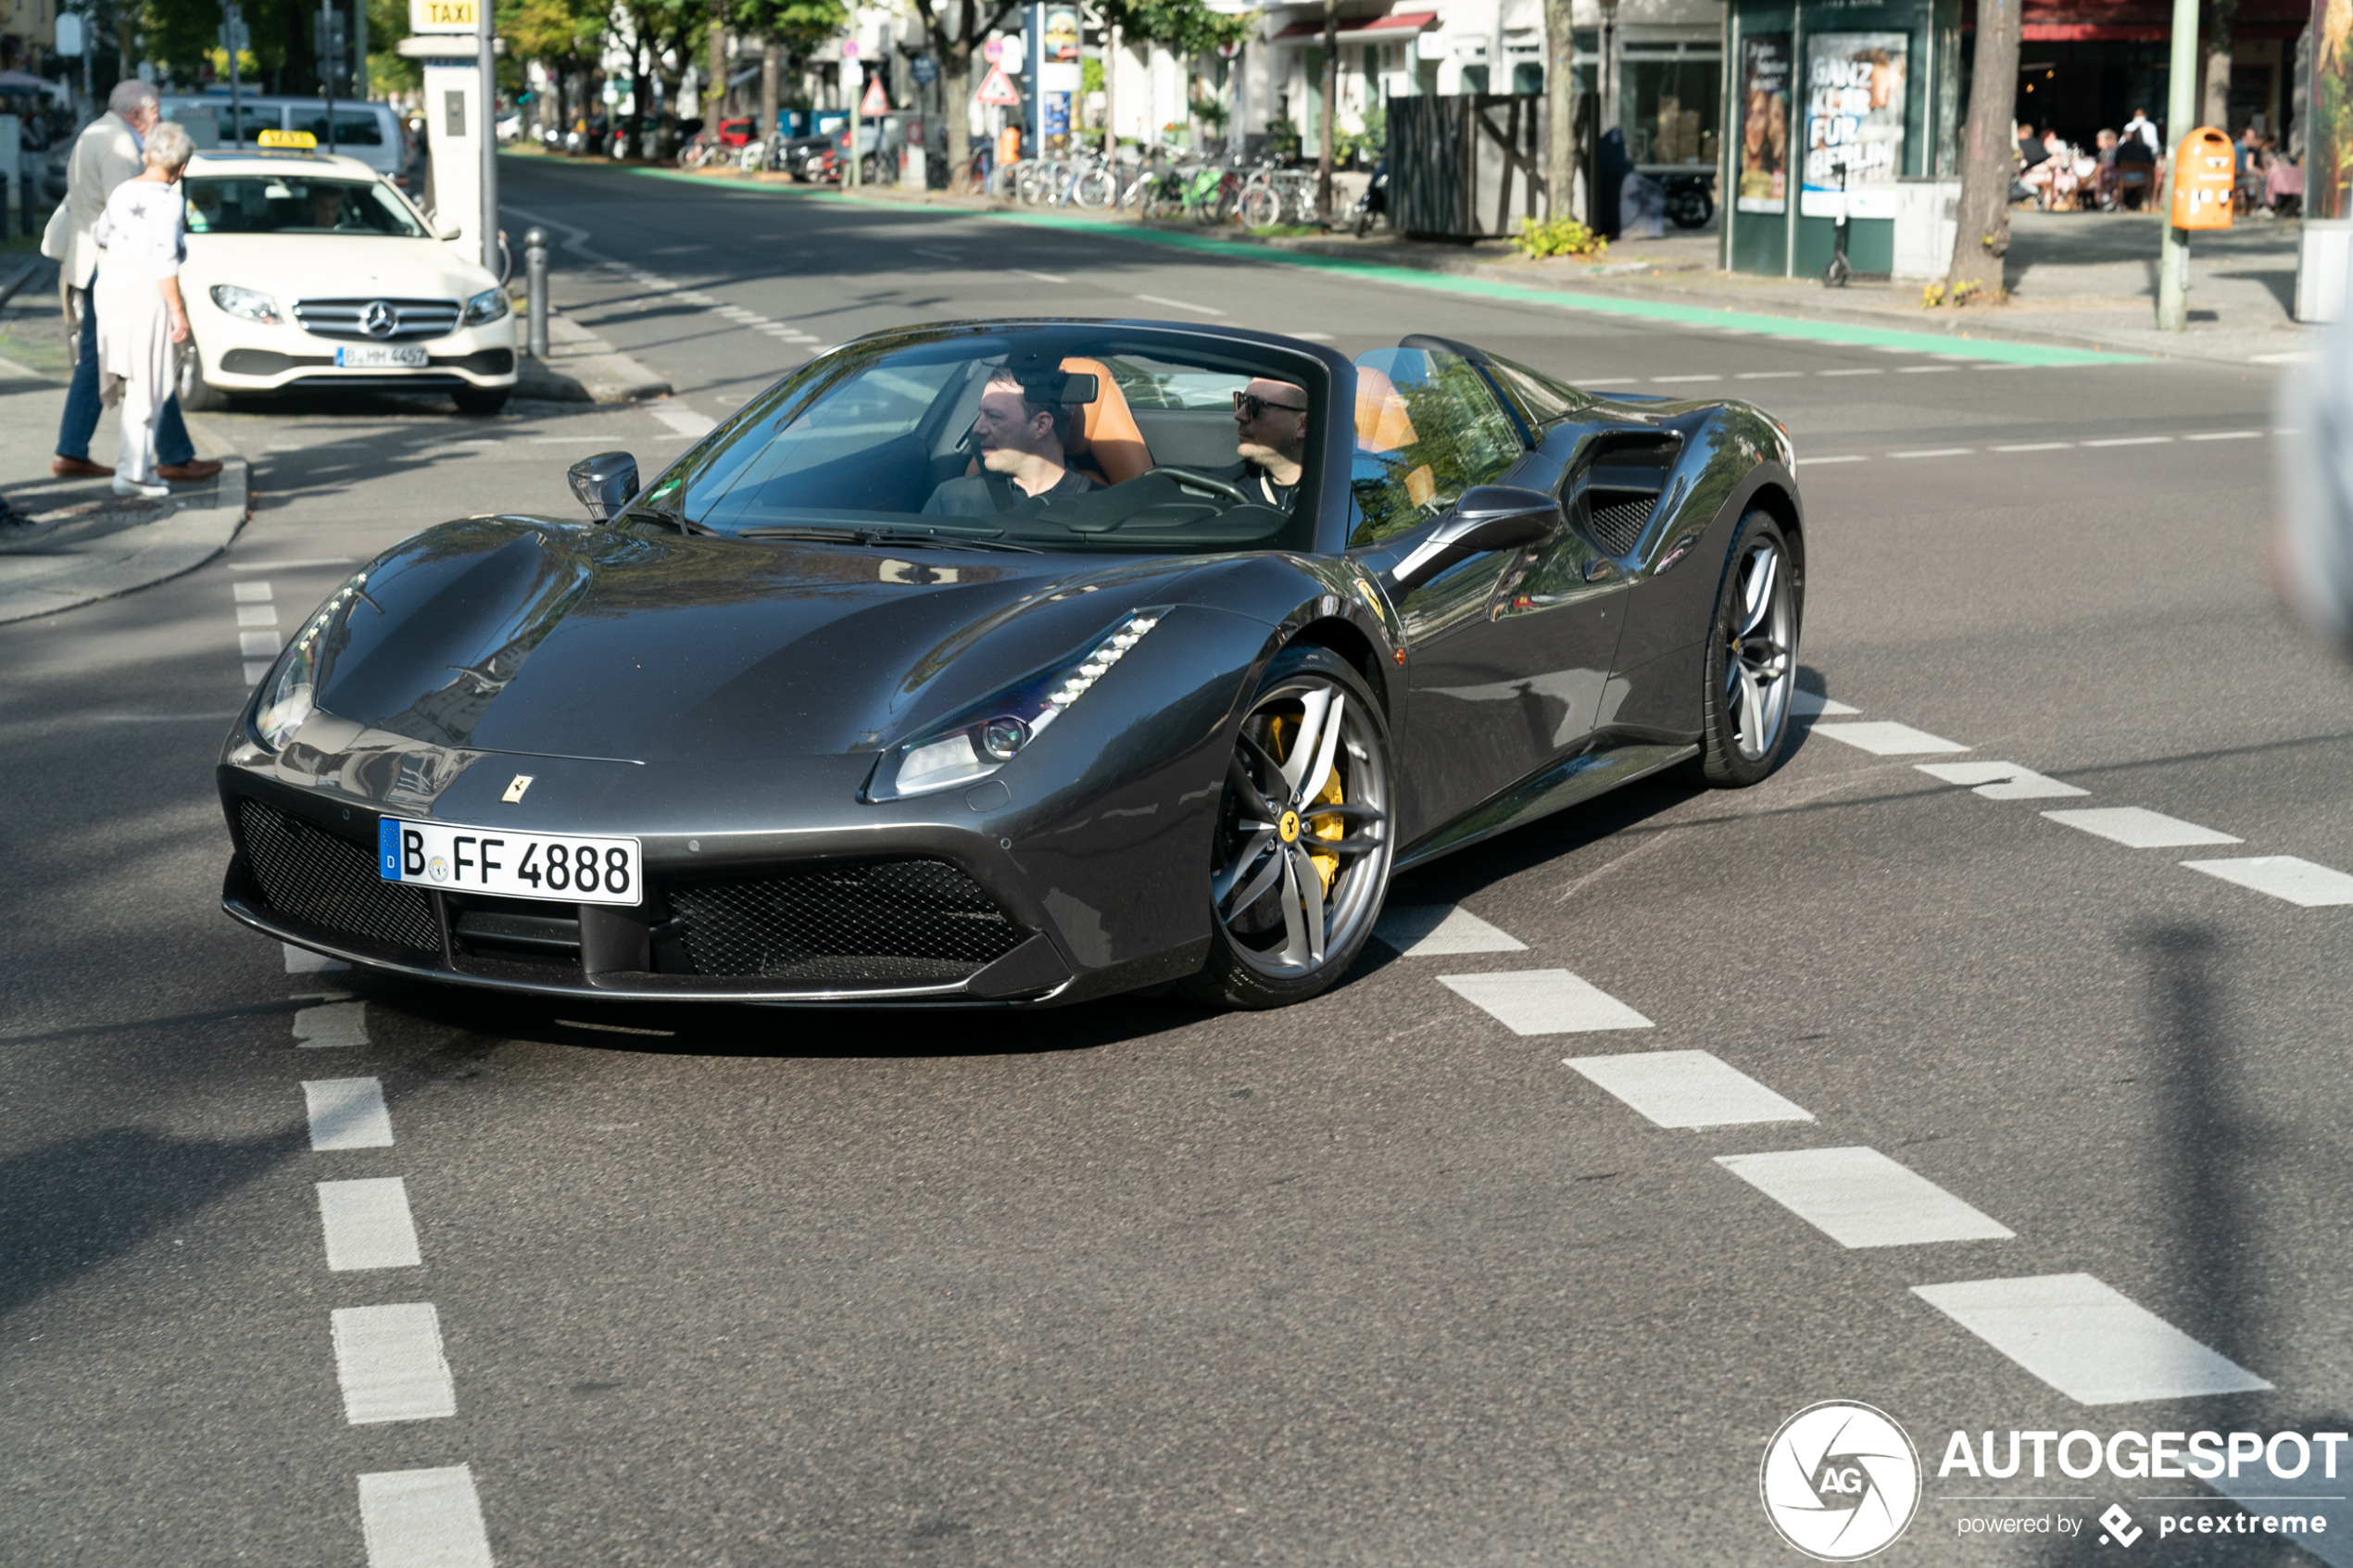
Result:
88,542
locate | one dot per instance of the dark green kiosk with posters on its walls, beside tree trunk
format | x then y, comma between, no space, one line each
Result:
1837,107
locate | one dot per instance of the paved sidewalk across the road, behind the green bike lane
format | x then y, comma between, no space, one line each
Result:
2077,281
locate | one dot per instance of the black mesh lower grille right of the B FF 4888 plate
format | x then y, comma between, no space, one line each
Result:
919,923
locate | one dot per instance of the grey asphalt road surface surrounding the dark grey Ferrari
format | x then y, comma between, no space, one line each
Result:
1375,1280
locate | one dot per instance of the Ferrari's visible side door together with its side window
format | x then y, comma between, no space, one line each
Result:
1509,652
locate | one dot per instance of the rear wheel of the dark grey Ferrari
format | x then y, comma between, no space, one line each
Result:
1752,659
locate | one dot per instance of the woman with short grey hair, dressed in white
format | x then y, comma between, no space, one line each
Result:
138,300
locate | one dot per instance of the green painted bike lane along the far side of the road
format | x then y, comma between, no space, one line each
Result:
1846,335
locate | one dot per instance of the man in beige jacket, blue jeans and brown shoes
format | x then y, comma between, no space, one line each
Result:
105,156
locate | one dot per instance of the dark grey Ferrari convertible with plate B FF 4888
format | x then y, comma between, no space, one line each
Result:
1020,662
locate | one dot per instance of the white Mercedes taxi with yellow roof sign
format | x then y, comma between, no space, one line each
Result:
309,272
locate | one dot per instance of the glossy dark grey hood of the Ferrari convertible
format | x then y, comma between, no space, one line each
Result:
580,641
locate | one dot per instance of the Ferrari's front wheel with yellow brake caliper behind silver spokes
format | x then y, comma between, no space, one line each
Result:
1302,847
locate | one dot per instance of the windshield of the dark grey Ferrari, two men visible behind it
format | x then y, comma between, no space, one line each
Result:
1048,438
